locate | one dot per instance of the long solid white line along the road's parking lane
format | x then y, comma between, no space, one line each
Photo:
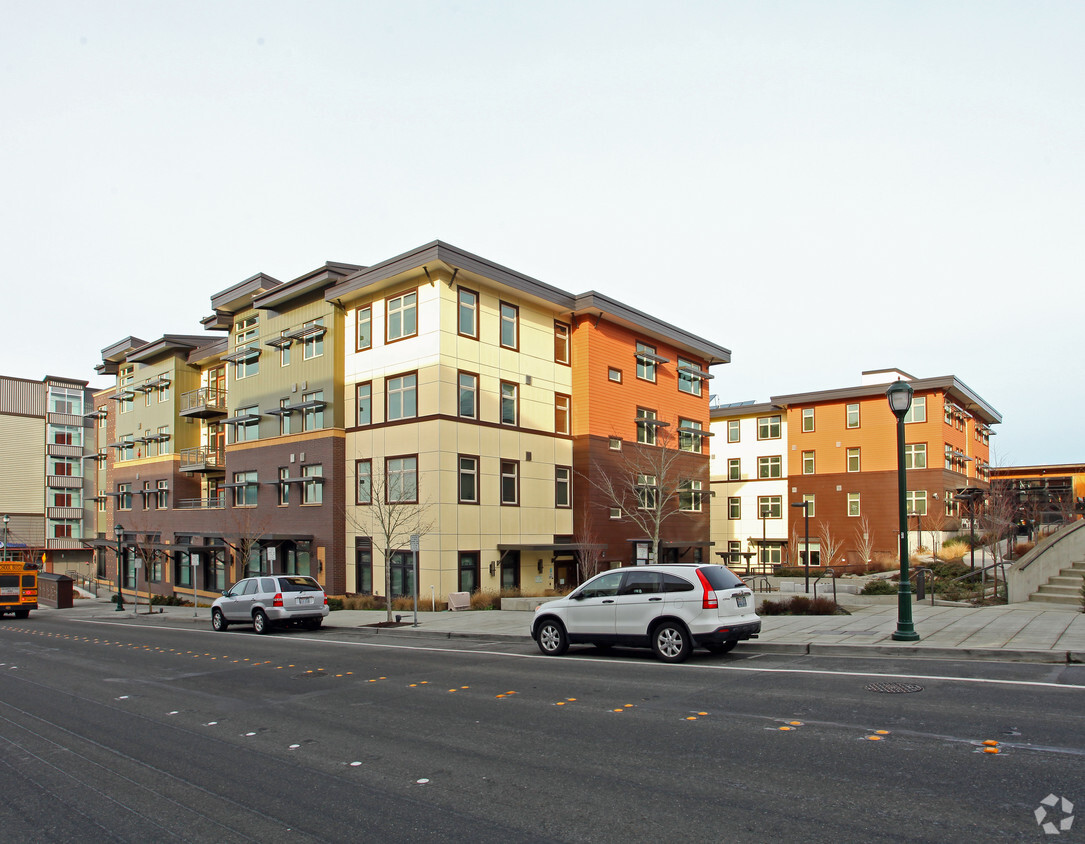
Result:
655,664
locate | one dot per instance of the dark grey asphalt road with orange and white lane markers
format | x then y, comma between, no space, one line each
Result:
136,732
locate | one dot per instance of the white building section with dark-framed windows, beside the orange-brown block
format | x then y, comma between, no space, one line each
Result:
750,483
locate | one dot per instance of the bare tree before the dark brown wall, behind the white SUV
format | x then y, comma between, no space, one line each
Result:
650,484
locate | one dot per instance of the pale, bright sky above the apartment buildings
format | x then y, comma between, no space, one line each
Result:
821,187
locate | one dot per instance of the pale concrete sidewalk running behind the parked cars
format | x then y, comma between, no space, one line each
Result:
1018,633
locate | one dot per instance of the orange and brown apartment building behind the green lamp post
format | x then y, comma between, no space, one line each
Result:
841,469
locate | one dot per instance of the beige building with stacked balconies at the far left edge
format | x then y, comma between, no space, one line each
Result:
46,490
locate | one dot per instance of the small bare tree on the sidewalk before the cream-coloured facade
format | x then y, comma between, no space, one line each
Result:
391,516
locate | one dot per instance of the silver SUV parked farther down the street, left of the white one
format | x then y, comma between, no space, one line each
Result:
269,600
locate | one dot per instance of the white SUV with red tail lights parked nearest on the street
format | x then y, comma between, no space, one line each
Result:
668,608
